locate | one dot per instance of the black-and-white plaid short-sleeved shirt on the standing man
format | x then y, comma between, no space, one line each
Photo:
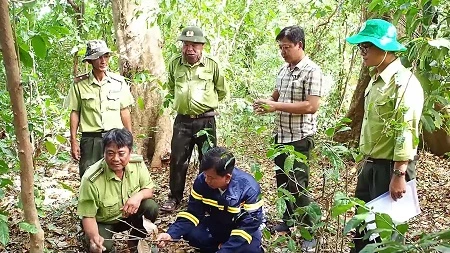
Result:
294,86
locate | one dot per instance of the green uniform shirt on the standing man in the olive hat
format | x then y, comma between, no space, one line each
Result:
197,88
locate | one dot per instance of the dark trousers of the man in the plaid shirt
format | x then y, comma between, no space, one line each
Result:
298,180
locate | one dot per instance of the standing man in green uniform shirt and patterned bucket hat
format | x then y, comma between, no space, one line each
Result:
98,101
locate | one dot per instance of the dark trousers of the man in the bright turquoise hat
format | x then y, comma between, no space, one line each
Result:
373,180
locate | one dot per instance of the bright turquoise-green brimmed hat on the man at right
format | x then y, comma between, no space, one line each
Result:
380,33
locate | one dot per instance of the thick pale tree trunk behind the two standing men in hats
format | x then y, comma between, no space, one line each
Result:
139,43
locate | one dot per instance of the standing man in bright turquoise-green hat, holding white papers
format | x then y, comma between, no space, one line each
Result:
393,104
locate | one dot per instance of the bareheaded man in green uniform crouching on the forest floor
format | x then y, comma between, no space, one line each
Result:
115,191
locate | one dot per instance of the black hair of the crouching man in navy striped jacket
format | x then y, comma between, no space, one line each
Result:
219,159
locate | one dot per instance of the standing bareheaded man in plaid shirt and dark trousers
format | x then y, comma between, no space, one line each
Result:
296,99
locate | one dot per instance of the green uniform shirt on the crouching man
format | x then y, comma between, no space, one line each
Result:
102,193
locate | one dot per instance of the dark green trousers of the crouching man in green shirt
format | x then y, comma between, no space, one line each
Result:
148,209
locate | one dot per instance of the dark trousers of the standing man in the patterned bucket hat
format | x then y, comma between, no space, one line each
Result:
91,150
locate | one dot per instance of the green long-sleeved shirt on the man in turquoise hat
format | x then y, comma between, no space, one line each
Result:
392,110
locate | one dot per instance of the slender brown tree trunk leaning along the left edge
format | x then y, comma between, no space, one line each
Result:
20,127
